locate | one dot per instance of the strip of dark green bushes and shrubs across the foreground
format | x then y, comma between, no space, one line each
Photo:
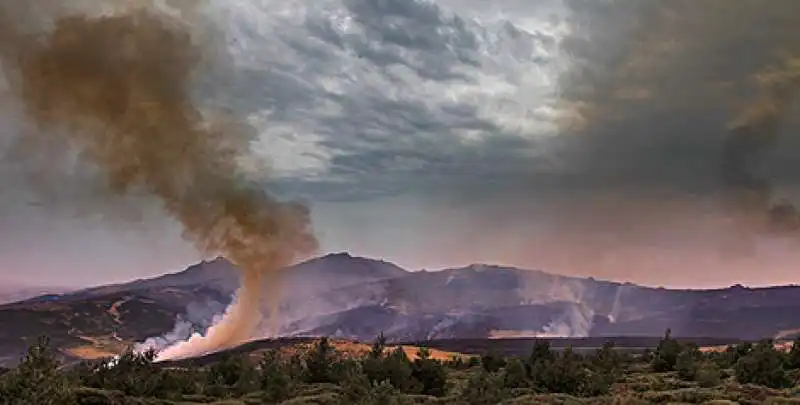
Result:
671,373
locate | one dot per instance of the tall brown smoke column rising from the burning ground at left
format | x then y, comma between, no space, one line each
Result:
116,87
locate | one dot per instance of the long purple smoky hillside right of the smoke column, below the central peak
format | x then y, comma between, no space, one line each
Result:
493,302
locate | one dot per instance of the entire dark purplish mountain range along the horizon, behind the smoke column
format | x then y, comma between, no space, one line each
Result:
357,298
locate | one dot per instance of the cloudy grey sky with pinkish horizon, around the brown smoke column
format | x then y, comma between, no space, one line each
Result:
580,137
